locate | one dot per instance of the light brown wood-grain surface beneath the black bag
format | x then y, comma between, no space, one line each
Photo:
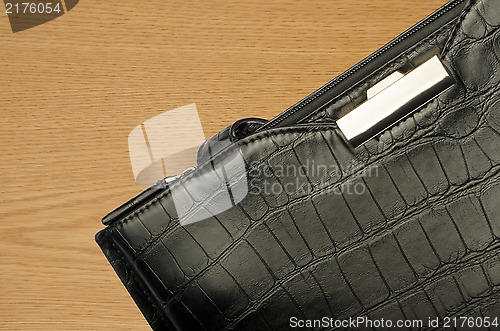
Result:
73,88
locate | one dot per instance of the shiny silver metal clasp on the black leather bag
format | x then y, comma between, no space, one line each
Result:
393,99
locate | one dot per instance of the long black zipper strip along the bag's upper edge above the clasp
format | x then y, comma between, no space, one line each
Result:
322,90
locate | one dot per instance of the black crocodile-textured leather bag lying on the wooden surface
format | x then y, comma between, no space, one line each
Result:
294,222
